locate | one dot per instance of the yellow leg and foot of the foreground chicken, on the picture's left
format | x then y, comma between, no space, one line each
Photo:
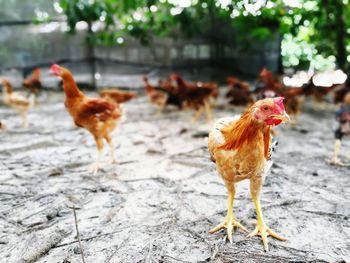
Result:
230,220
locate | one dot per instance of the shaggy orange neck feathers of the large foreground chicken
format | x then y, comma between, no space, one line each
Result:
246,129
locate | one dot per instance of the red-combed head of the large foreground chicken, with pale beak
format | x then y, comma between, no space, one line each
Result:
270,111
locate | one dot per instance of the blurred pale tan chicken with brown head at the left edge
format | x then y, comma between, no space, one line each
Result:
18,101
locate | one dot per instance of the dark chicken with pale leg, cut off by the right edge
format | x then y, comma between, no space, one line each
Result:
343,119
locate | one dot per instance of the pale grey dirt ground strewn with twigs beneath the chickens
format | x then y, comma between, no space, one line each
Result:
164,194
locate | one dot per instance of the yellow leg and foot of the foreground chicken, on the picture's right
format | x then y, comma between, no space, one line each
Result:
261,228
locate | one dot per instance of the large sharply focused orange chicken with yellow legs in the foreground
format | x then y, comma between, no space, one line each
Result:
240,147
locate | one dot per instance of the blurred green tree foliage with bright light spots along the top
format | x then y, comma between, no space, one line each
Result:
310,28
